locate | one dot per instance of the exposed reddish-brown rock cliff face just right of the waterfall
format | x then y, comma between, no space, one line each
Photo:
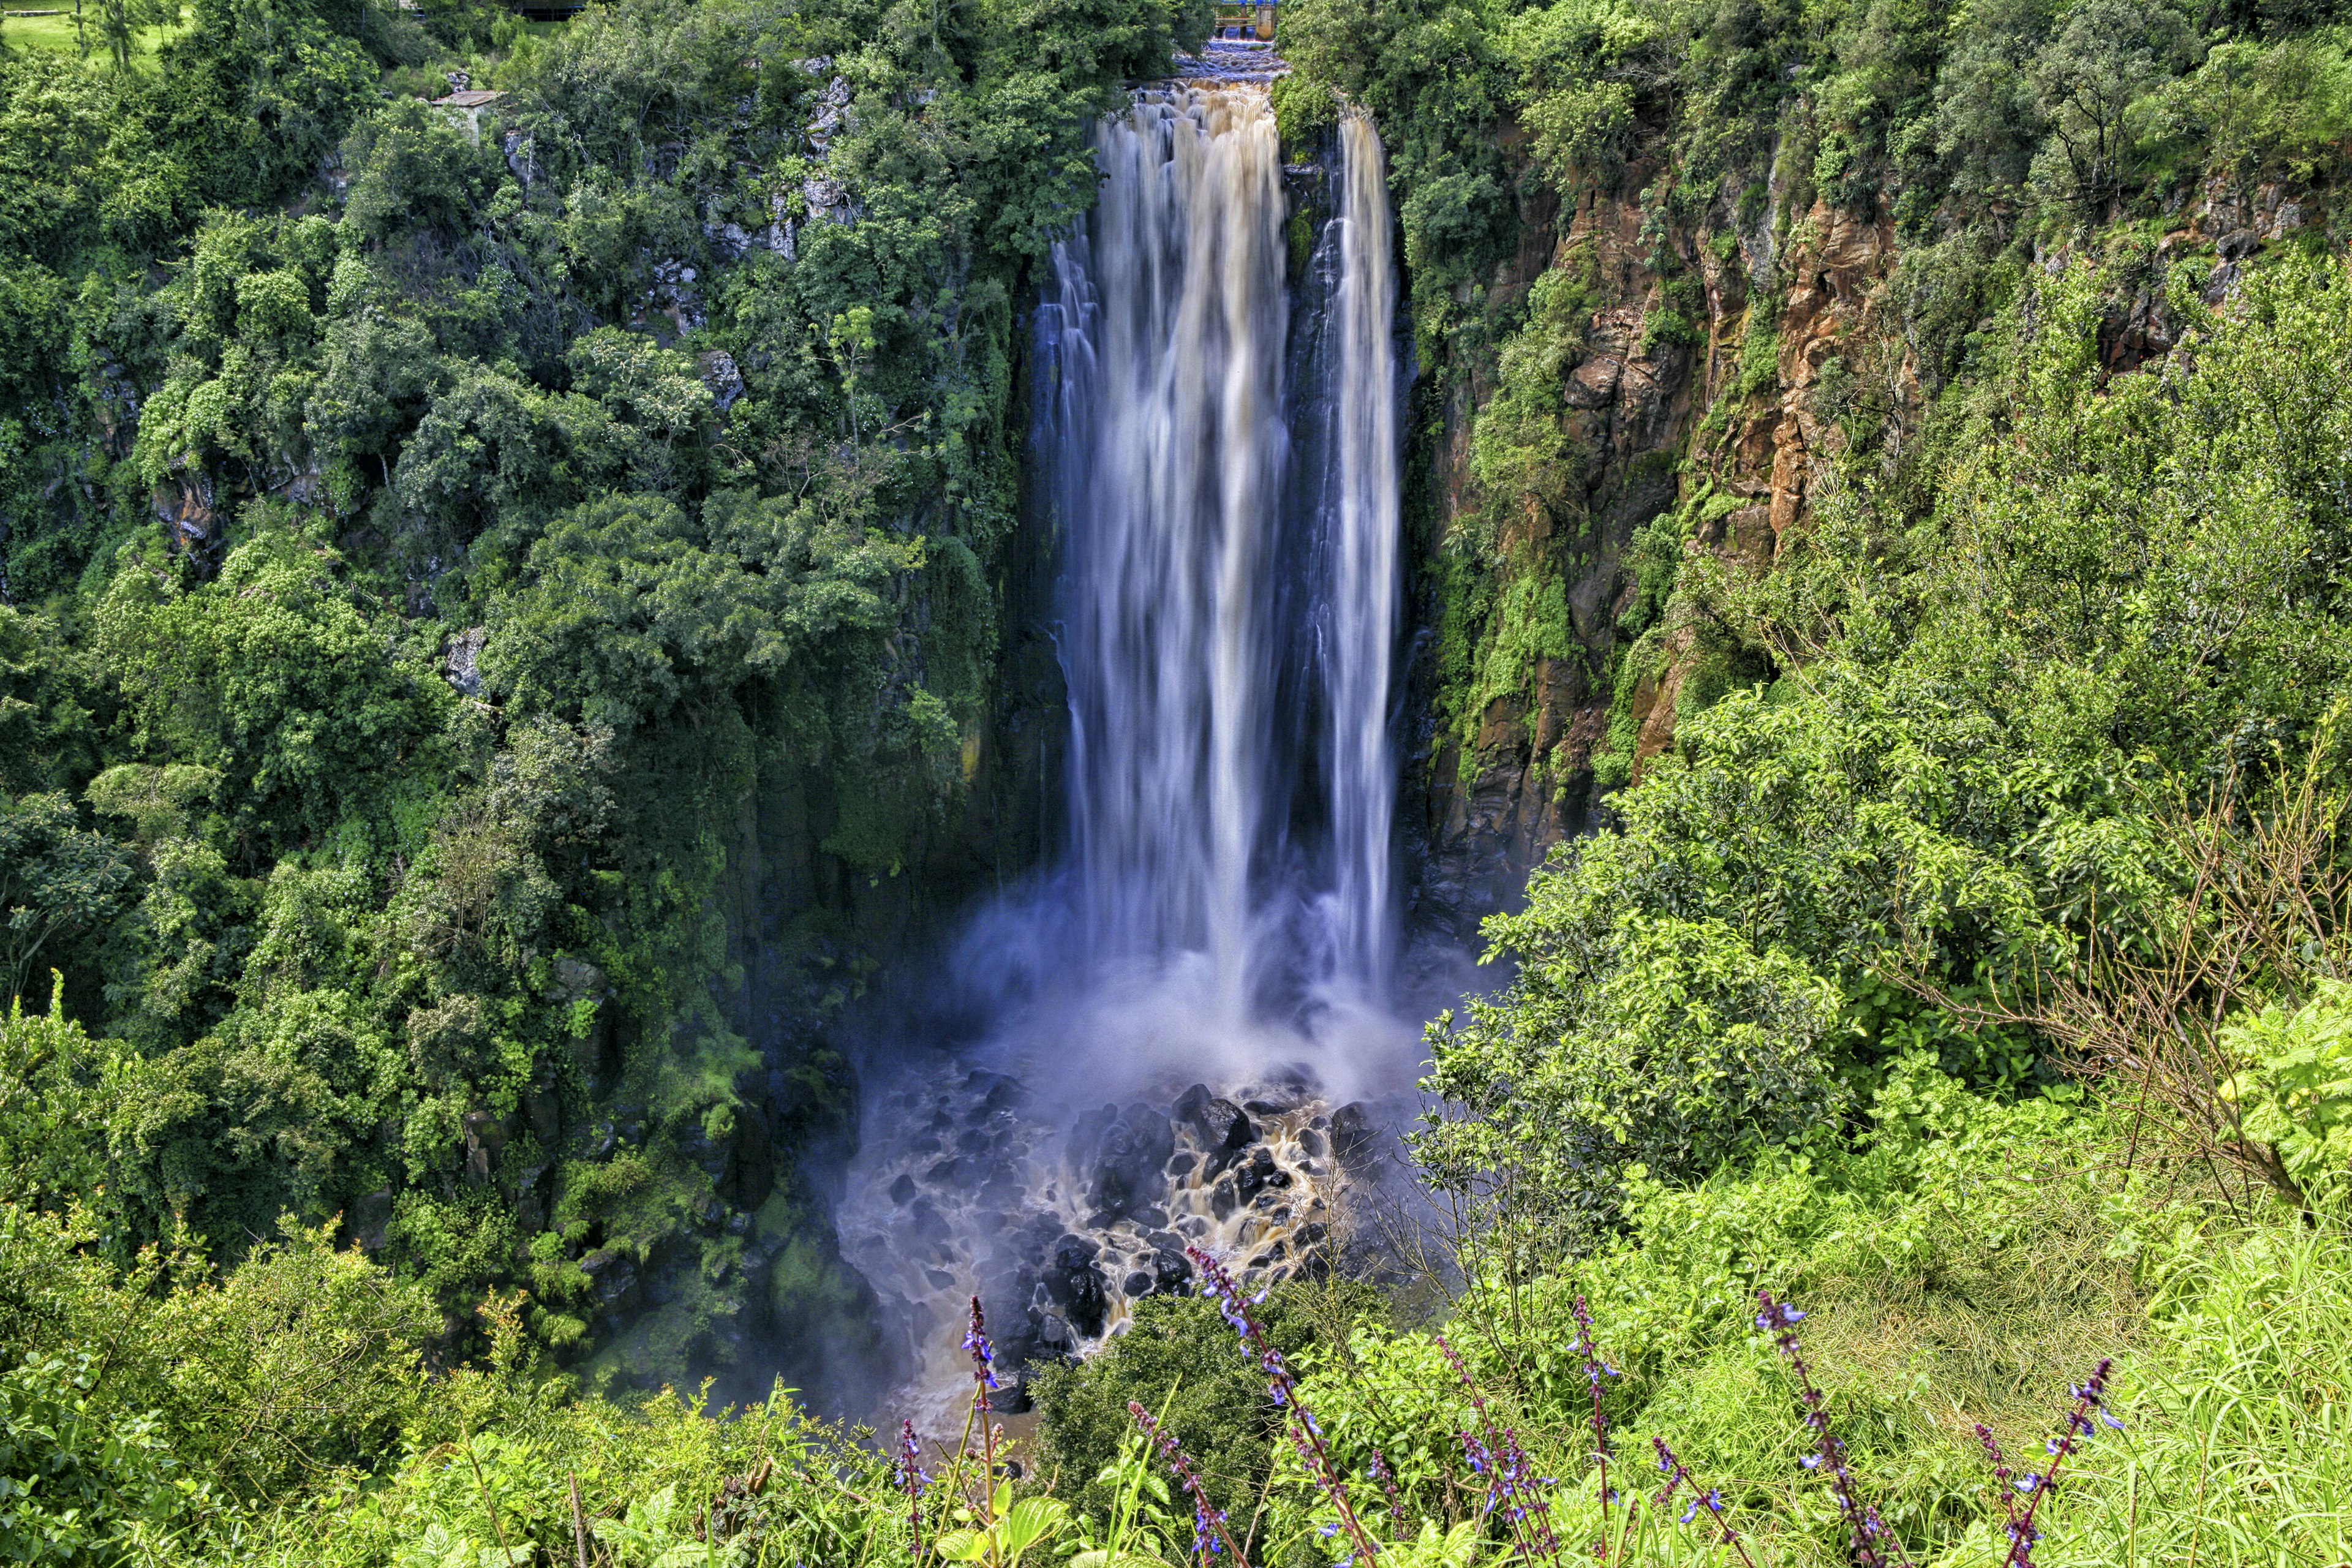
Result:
1702,422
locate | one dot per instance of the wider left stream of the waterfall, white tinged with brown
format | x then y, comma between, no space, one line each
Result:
1168,464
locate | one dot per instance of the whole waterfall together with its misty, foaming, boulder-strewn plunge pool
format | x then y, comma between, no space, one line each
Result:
1184,1019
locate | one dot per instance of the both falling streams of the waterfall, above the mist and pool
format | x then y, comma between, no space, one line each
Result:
1210,629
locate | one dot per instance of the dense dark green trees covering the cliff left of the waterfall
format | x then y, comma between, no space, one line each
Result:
441,568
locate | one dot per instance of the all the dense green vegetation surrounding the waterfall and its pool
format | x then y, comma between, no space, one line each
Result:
507,612
